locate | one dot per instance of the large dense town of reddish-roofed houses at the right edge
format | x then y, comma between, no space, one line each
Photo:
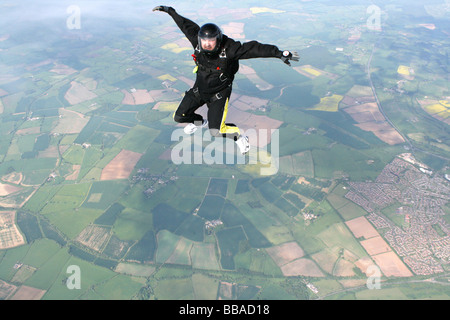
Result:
423,241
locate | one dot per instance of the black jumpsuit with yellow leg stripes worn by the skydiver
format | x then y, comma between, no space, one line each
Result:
215,76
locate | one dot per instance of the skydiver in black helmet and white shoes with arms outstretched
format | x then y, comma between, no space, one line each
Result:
217,61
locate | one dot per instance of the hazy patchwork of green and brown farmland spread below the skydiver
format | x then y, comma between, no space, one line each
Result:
205,231
